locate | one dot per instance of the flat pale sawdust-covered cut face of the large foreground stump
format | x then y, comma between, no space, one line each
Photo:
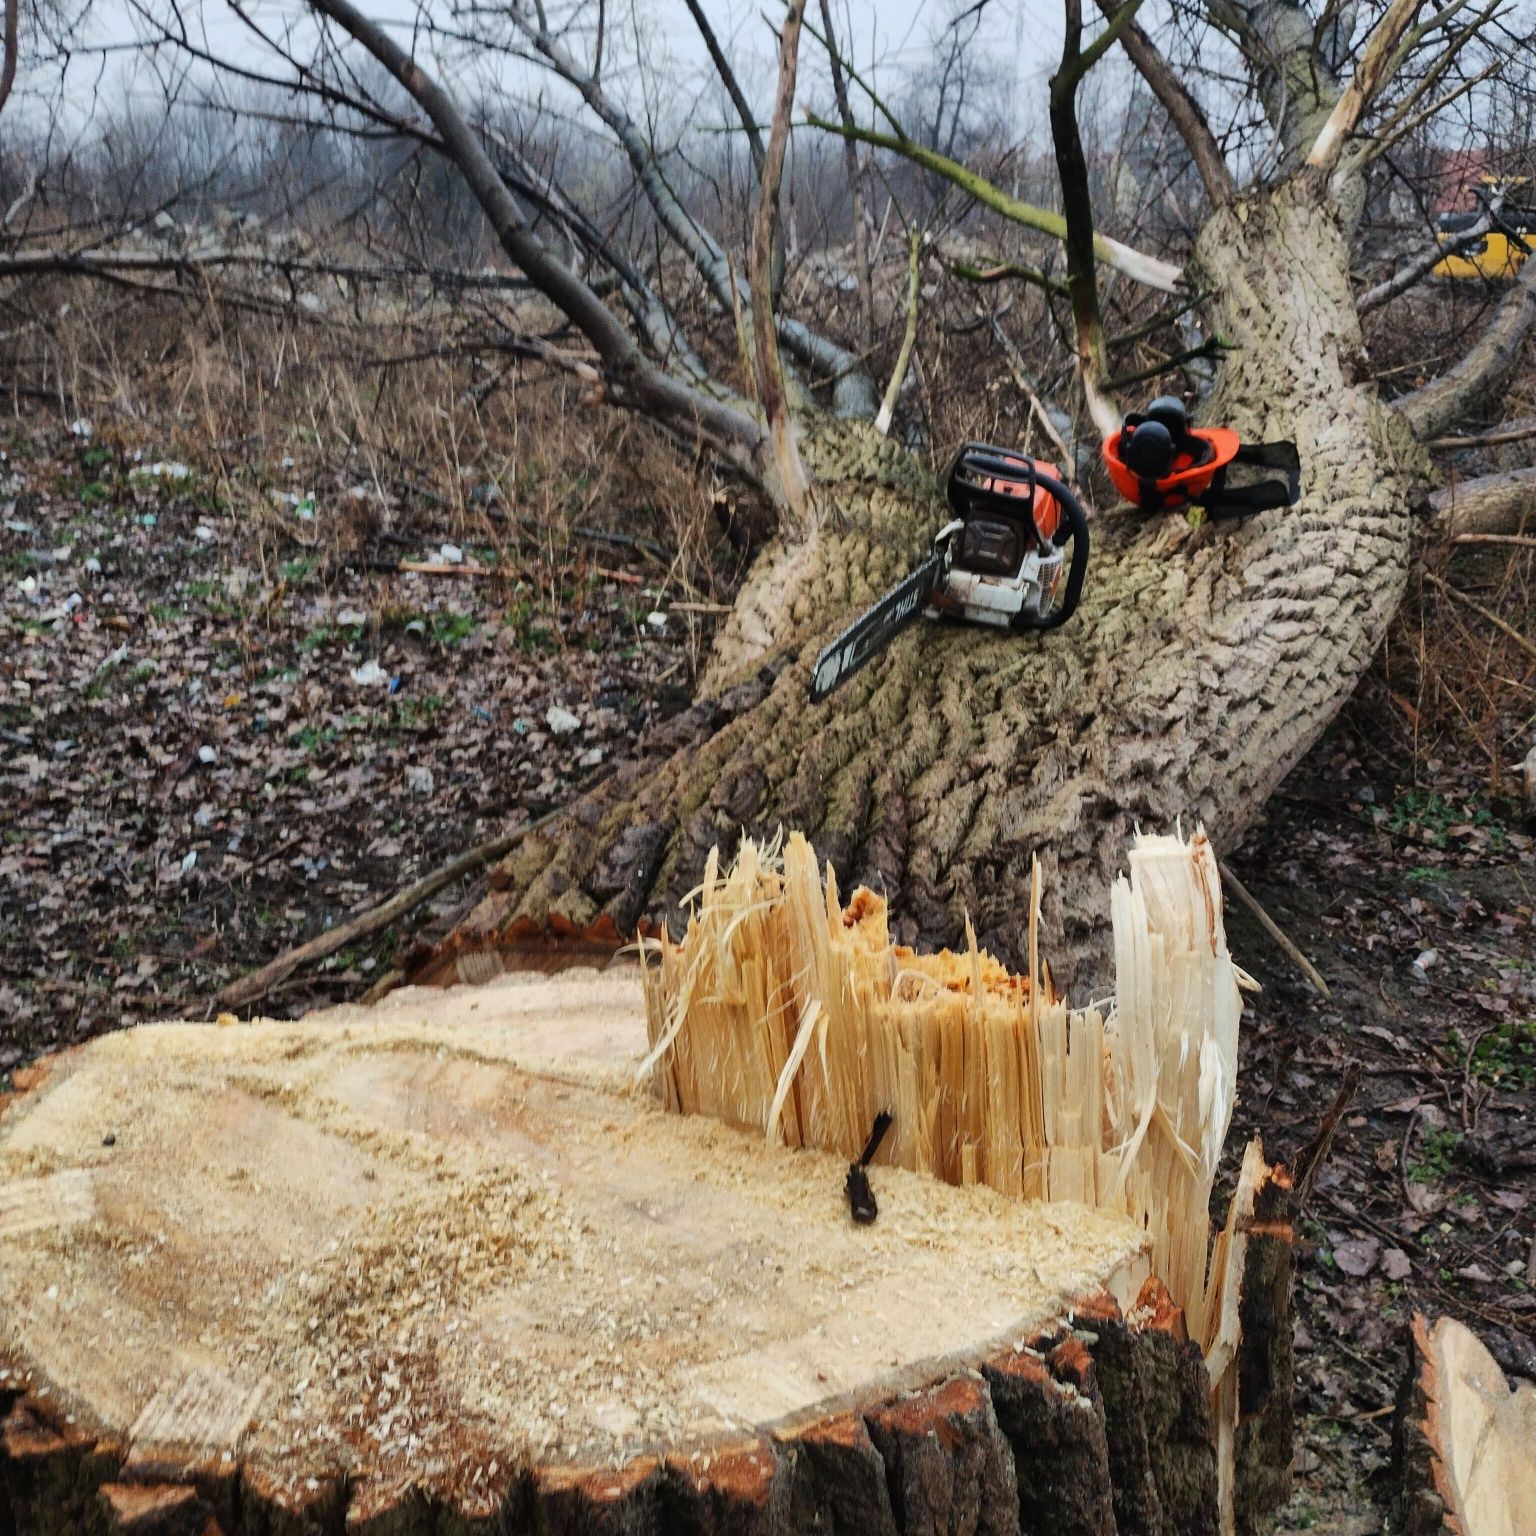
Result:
449,1240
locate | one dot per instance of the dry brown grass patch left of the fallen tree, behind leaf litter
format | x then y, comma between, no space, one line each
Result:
377,408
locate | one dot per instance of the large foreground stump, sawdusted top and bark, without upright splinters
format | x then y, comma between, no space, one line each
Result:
443,1266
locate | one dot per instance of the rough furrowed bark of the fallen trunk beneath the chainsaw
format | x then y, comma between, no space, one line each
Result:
1200,669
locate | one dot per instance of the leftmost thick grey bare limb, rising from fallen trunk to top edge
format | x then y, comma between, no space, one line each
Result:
627,377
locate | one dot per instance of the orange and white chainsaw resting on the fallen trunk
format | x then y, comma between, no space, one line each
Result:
1002,561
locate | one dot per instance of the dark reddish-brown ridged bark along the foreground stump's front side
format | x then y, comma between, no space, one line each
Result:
1033,1440
